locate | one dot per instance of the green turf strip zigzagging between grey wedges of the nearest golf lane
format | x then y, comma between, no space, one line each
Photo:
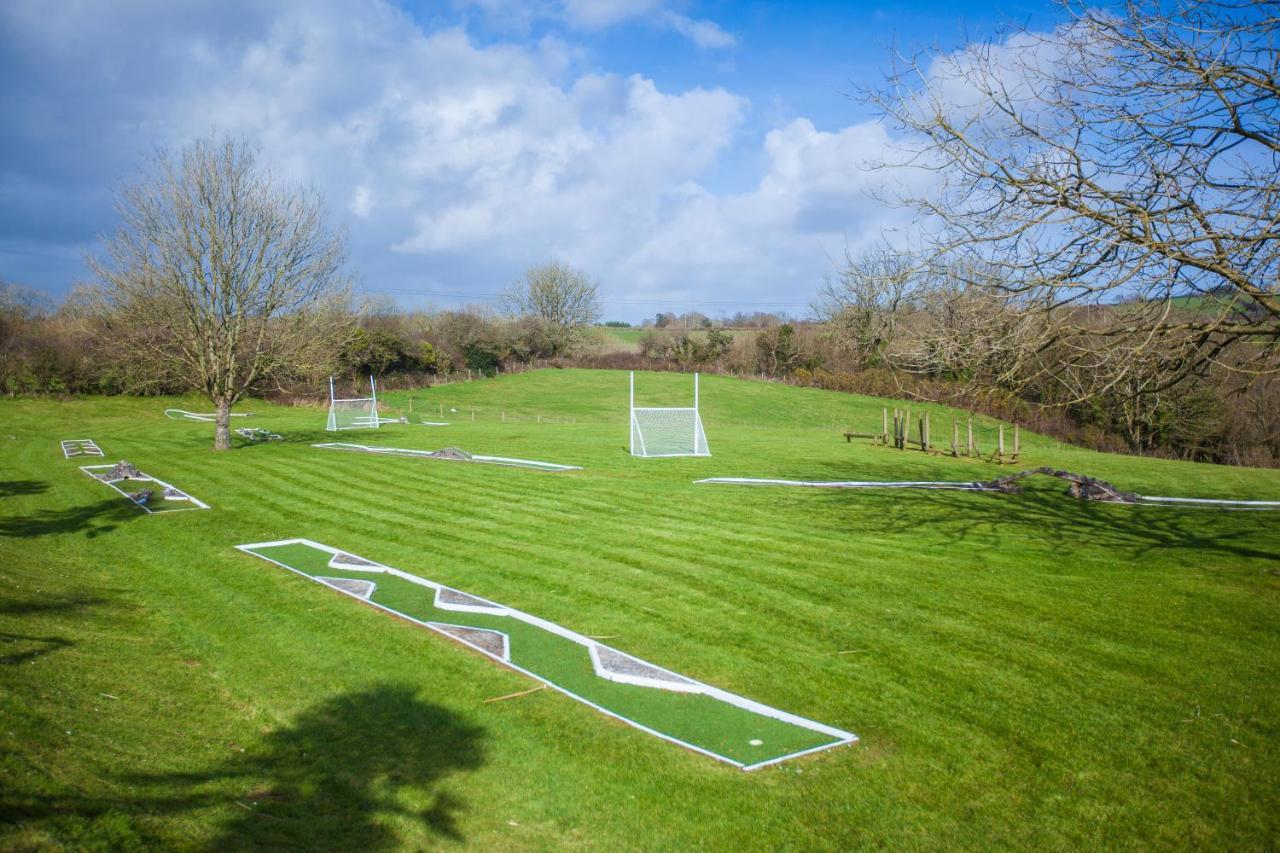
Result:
733,733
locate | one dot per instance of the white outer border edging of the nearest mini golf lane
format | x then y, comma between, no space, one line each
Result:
844,738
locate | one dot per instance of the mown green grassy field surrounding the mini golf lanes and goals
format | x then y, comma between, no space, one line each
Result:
1022,670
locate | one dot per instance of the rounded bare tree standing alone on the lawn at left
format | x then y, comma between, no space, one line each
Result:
221,279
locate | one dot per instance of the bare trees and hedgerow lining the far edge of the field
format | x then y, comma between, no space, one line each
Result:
1099,256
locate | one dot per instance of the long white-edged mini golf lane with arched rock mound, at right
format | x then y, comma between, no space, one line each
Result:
1085,489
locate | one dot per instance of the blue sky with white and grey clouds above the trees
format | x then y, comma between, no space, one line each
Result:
711,157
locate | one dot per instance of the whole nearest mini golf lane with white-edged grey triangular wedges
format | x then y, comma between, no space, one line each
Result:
655,700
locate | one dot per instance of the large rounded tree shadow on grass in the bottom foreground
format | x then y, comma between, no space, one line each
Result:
340,777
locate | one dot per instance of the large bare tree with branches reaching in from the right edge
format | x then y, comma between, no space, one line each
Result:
1119,176
